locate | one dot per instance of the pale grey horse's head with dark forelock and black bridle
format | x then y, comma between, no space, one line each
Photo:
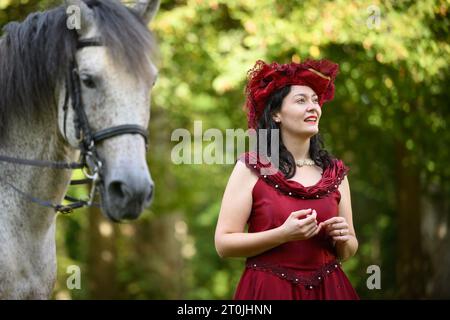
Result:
114,80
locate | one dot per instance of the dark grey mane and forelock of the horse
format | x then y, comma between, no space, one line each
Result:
36,54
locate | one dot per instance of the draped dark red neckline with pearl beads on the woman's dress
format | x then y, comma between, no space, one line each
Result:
332,177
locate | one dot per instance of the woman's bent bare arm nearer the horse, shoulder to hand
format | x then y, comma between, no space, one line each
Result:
231,240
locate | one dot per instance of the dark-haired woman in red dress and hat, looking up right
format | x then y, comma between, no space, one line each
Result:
299,217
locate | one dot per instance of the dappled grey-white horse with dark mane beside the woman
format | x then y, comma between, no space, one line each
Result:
63,91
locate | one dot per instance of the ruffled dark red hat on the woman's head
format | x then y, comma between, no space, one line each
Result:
264,79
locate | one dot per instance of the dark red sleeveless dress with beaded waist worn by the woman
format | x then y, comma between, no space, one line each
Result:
296,270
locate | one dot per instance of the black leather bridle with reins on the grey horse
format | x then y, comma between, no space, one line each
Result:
90,161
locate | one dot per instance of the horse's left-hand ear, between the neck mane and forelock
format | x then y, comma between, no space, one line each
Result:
79,16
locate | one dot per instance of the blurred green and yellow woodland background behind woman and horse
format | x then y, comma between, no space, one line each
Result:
389,122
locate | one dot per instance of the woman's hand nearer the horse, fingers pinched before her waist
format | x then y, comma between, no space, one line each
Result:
300,229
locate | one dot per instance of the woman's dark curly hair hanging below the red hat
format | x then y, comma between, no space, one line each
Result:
287,166
